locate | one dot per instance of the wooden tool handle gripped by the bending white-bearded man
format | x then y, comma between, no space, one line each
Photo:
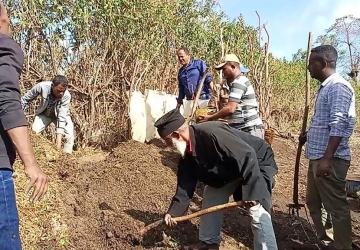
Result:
194,215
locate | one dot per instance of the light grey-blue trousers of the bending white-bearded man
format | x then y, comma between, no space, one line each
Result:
210,224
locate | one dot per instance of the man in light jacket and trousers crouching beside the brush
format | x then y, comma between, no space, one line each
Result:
54,107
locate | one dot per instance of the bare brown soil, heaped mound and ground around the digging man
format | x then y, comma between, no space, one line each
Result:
104,199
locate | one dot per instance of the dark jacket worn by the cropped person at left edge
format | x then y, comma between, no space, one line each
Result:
11,113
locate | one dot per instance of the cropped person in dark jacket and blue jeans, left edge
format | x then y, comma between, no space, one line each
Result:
14,138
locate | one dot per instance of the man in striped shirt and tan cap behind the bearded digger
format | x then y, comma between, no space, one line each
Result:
241,111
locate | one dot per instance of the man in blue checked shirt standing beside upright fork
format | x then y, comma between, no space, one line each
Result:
328,149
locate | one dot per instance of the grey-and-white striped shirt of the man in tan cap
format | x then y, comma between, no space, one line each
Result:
246,113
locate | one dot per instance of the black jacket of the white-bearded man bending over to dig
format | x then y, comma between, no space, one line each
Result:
221,154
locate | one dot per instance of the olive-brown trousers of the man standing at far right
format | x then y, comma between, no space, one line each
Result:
327,196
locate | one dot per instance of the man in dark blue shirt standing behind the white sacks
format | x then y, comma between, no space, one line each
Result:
189,78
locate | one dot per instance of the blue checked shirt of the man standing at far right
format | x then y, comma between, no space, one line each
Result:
334,115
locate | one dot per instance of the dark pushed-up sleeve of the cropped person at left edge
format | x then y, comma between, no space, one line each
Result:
11,59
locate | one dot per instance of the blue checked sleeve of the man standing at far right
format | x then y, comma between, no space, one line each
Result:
339,100
